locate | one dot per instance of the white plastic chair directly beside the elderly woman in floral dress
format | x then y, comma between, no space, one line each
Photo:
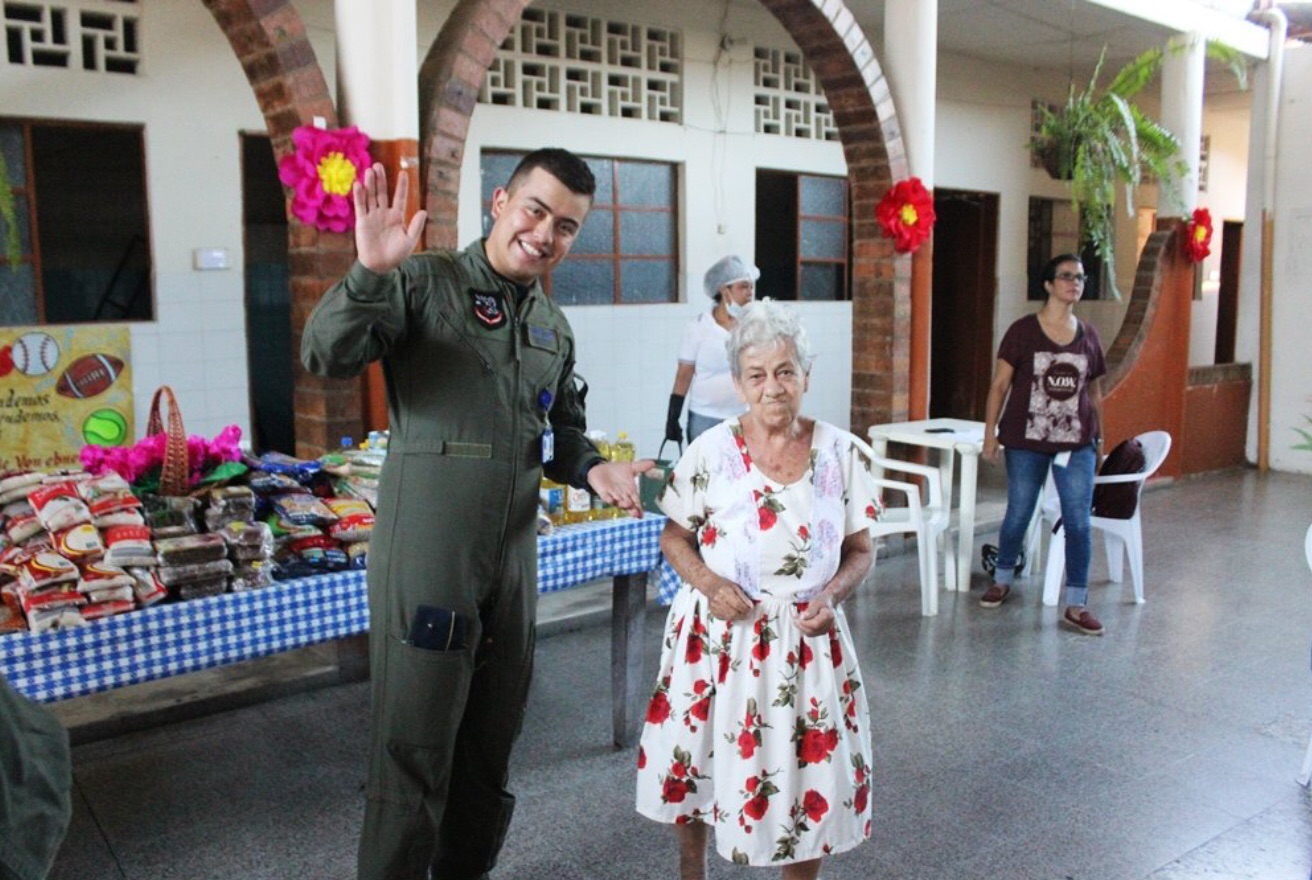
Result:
924,517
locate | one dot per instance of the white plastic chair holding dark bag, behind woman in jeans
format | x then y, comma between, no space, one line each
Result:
1121,537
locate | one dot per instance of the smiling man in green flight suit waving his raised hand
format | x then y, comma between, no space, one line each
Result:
482,401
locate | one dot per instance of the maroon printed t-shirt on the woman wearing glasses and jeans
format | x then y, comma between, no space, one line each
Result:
1049,409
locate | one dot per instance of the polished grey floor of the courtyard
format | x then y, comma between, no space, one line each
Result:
1006,748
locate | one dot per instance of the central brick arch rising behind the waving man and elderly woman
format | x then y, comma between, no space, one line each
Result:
856,90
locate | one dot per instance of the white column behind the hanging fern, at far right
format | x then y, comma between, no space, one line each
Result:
1183,116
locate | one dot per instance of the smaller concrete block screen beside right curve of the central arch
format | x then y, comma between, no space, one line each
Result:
789,99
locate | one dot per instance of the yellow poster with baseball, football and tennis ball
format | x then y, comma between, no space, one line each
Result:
62,388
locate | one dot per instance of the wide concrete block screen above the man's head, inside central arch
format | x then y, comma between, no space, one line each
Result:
558,61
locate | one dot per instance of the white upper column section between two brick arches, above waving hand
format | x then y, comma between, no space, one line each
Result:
379,68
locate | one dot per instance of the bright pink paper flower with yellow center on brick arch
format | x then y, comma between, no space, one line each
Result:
322,172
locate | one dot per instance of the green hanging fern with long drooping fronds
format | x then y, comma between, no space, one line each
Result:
1100,141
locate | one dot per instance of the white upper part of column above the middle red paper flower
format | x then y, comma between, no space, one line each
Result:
911,65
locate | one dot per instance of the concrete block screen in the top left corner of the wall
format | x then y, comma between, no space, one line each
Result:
81,35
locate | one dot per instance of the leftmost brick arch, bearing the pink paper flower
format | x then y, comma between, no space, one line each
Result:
270,41
